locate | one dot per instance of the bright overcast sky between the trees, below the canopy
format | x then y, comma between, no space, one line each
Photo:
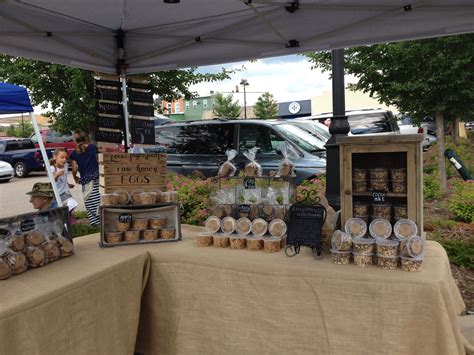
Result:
287,78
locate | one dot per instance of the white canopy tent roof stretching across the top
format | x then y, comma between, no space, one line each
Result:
157,36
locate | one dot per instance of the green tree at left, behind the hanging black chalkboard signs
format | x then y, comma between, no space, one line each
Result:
68,92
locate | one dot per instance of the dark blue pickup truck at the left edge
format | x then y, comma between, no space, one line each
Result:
22,155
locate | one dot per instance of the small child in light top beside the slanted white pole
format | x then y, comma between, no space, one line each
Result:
59,168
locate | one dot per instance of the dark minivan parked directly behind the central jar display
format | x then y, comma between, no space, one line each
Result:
201,145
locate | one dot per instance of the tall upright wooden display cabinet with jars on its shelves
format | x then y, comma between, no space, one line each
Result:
394,151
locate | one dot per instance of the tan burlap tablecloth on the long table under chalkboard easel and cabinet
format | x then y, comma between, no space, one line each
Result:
206,300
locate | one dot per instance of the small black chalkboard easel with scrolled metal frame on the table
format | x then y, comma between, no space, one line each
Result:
305,224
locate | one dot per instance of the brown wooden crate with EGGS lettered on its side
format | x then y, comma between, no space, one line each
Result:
125,171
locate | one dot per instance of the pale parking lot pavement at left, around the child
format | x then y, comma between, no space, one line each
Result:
13,200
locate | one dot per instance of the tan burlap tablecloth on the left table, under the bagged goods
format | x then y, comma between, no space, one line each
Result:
88,303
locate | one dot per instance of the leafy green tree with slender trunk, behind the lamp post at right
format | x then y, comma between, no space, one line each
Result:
431,77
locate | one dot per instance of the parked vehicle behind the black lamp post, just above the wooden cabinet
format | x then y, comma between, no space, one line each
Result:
368,121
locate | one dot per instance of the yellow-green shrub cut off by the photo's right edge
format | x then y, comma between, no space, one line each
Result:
461,201
